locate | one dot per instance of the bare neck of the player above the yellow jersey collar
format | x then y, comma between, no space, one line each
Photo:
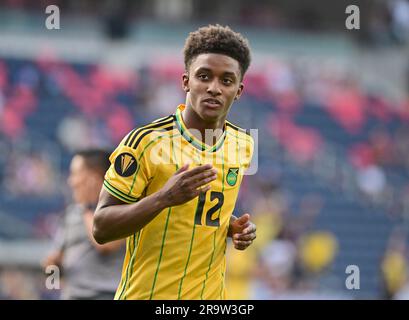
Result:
193,121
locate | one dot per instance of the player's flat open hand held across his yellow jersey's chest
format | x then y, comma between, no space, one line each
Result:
186,184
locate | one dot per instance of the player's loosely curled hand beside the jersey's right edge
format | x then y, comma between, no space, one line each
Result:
243,232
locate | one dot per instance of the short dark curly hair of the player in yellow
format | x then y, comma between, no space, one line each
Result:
217,39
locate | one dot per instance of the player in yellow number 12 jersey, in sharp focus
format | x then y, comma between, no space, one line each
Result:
172,185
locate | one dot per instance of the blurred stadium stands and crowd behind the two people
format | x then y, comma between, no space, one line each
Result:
331,106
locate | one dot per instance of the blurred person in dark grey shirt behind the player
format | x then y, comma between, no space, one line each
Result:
90,271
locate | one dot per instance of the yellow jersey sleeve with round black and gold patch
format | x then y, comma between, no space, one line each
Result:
129,173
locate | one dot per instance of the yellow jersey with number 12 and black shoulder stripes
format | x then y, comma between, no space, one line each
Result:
180,254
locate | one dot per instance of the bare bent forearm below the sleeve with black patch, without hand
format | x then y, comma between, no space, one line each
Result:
113,222
